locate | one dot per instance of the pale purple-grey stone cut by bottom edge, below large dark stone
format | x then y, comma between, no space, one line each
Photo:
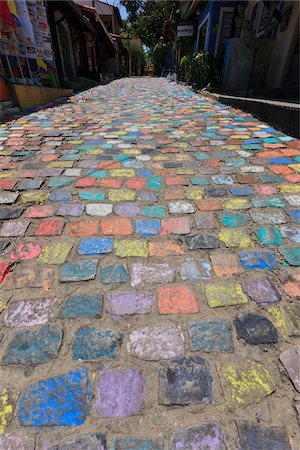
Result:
206,436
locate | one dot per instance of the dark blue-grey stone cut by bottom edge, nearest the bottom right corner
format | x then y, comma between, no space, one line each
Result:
258,437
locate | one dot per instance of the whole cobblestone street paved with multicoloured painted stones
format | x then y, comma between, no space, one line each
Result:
149,271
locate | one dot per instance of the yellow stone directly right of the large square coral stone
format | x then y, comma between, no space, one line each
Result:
224,295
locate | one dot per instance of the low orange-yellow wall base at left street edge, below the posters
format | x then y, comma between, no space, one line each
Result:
30,96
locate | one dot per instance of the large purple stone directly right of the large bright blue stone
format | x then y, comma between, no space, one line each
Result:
120,393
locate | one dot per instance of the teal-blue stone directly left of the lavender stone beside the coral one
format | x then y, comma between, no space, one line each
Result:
81,306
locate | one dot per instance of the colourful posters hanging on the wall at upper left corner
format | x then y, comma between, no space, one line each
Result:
26,50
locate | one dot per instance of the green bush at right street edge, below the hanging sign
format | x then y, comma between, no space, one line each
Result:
199,68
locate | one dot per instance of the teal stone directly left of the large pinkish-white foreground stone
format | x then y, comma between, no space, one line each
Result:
91,344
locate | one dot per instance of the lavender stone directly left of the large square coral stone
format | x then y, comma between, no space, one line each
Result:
130,302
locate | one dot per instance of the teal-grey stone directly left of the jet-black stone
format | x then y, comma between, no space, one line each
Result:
210,336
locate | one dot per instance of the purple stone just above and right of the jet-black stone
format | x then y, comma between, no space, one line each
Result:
261,290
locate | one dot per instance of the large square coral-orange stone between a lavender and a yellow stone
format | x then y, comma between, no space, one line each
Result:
177,300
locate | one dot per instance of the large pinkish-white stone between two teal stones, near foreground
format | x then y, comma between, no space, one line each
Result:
155,343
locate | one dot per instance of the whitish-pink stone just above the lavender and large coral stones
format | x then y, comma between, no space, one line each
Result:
151,273
